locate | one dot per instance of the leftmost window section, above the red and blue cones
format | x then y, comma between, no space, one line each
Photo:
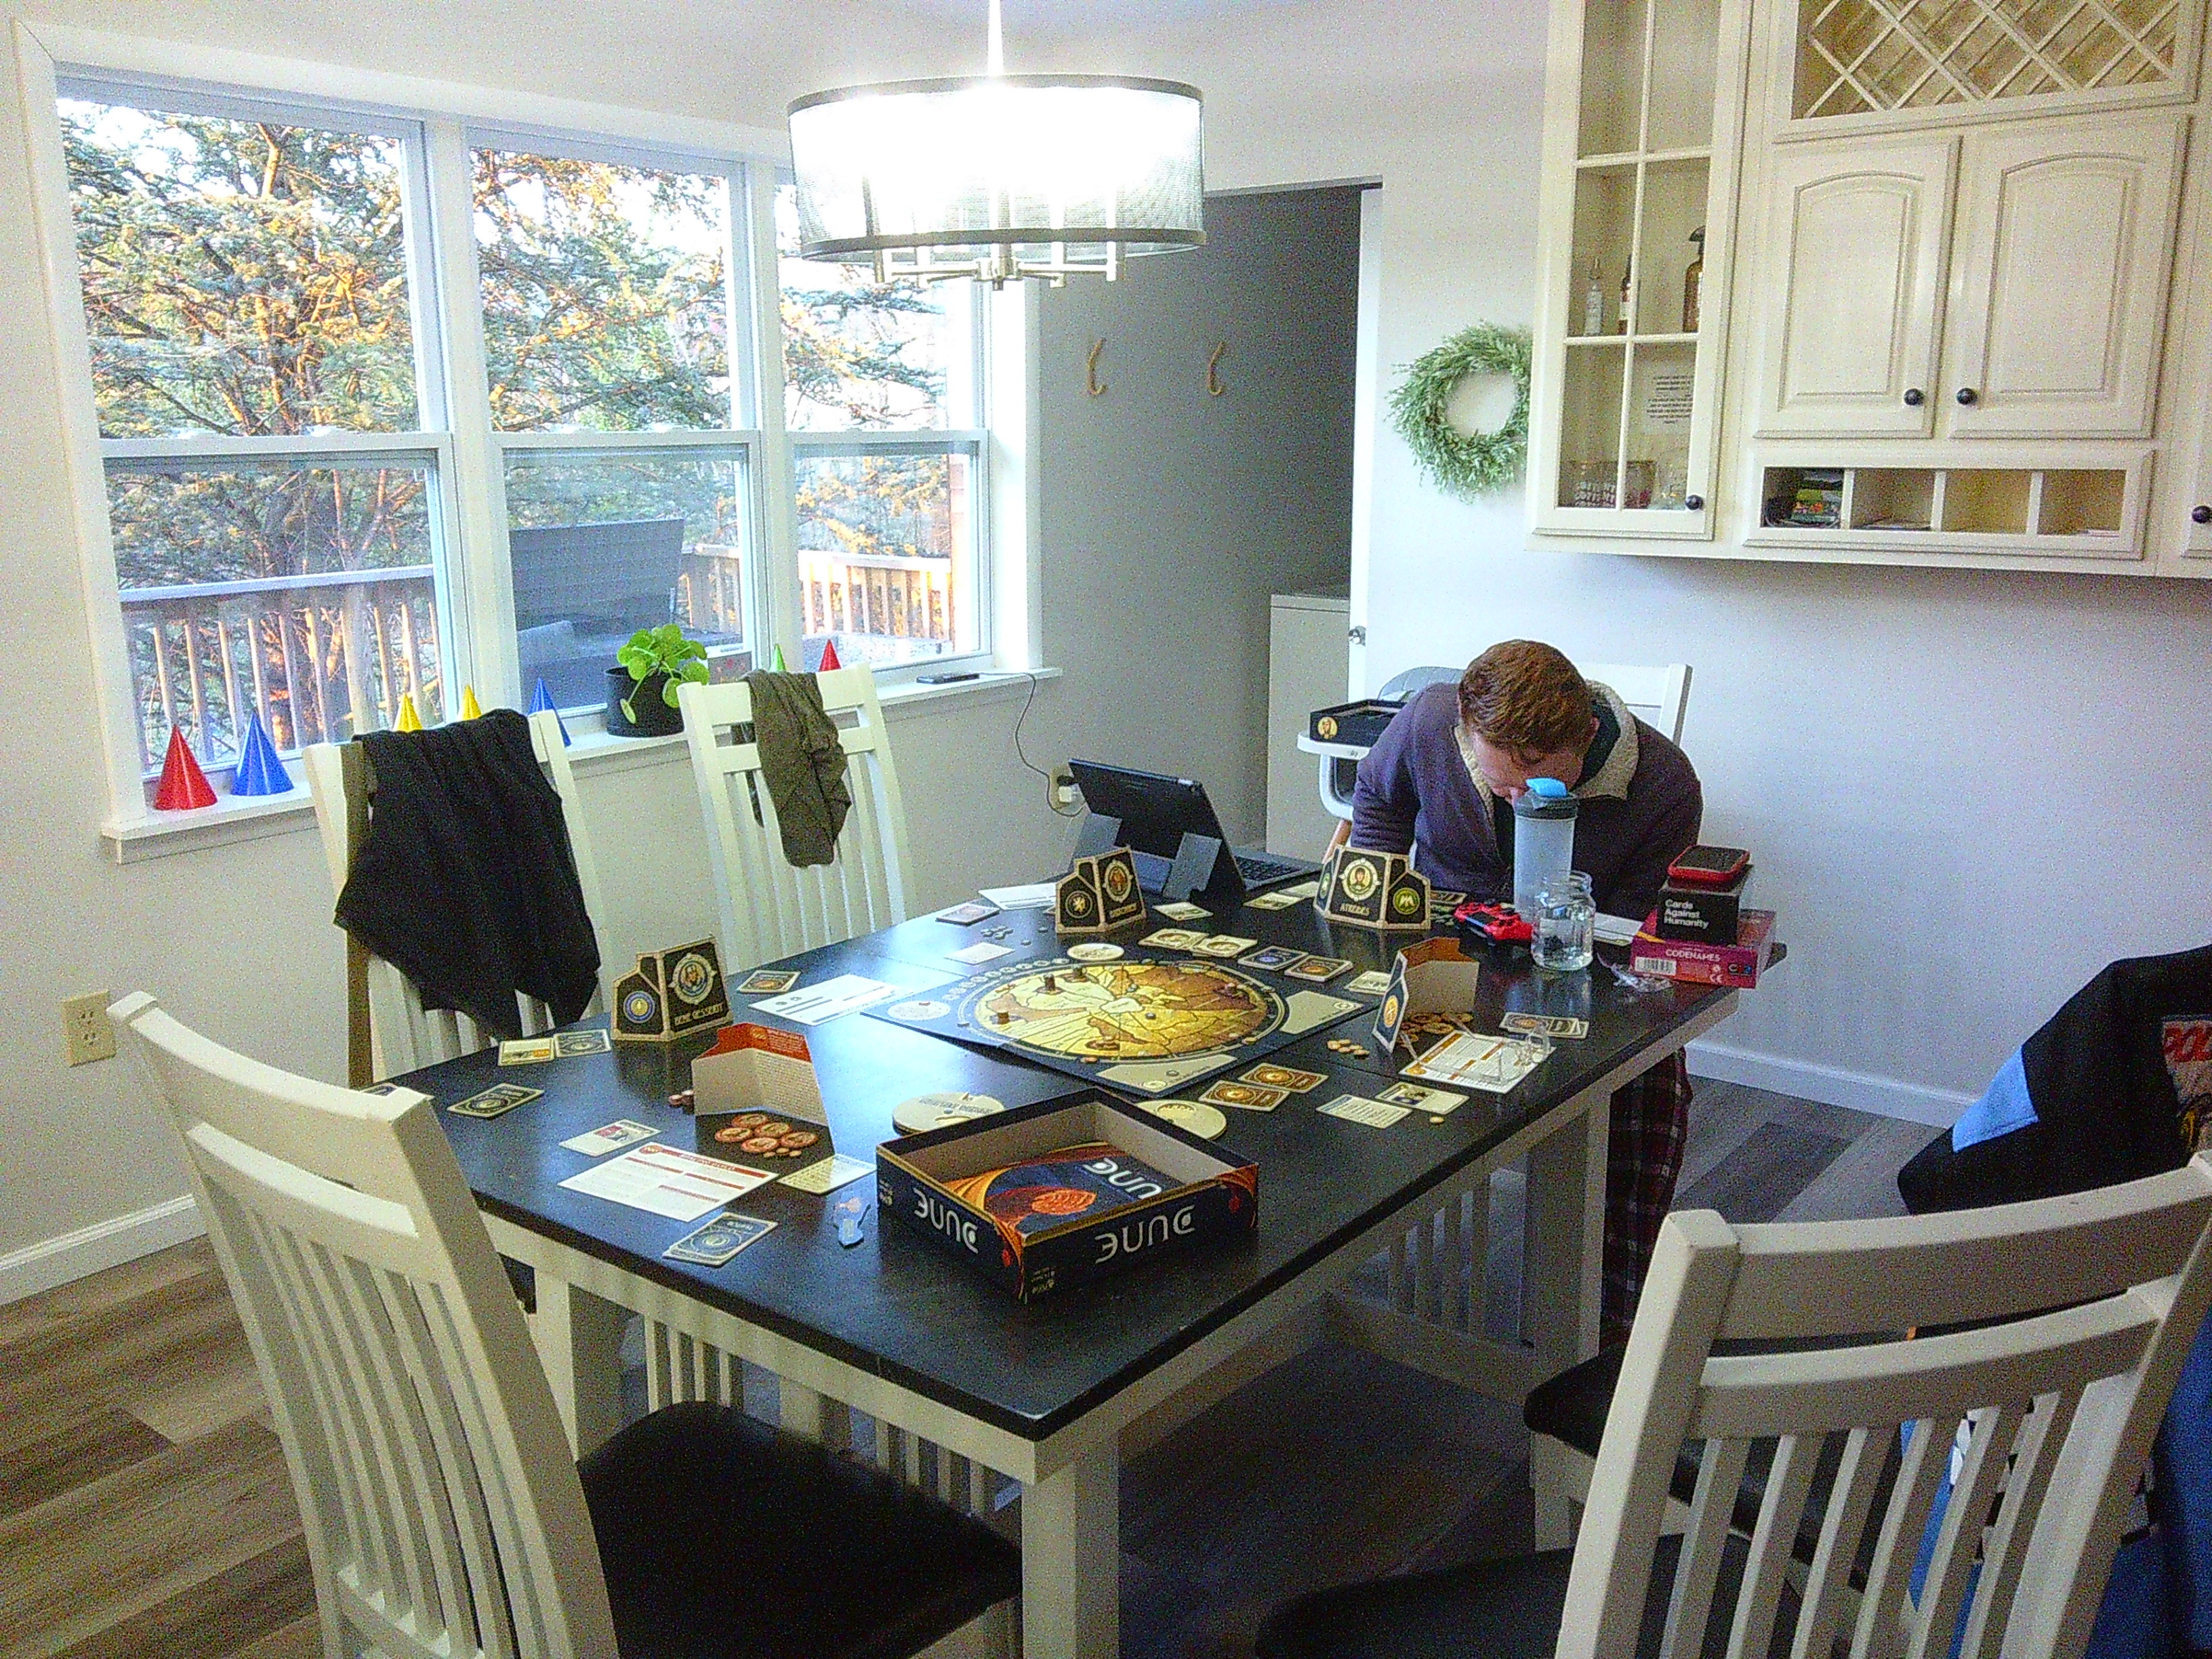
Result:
255,373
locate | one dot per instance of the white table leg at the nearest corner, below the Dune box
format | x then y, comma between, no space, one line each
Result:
1072,1561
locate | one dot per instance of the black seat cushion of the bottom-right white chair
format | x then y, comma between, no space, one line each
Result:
1485,1611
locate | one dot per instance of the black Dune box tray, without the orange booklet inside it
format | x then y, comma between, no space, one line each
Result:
1213,1202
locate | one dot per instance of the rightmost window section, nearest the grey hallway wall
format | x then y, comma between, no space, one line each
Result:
884,406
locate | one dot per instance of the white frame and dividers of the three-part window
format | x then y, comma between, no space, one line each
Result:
439,123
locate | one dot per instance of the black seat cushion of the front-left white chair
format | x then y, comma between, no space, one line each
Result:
724,1538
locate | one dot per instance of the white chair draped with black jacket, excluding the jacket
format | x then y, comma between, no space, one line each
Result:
388,1027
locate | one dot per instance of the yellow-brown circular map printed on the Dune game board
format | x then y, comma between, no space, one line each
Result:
1127,1010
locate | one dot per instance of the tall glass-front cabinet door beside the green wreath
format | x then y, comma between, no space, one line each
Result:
1640,160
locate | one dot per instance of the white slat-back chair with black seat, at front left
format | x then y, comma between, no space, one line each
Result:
435,1488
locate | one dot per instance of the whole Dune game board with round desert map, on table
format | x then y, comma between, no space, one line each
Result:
1138,1023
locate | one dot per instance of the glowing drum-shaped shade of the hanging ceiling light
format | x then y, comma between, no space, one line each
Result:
1001,176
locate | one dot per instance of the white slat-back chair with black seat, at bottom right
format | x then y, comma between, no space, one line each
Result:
2065,1326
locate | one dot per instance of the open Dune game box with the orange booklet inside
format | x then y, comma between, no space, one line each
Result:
1056,1196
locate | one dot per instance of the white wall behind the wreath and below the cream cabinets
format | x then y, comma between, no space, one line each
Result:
1965,793
